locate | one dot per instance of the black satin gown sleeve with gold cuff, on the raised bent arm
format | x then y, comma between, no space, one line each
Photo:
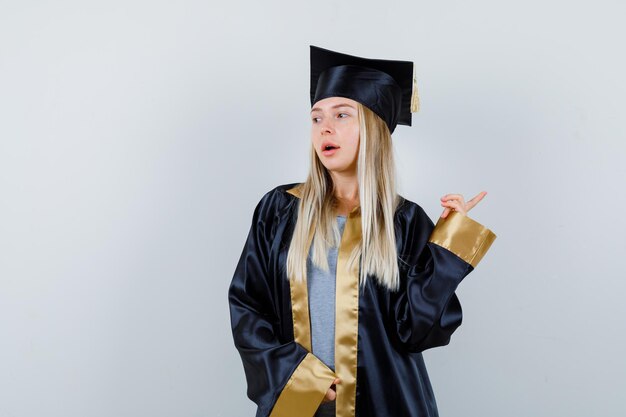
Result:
426,310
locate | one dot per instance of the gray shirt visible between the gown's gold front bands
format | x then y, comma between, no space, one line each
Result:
321,290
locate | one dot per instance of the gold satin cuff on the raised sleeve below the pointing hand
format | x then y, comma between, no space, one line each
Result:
464,237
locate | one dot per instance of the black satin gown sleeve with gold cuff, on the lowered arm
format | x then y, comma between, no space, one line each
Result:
284,378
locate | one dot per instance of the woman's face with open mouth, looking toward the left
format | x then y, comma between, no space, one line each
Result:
335,123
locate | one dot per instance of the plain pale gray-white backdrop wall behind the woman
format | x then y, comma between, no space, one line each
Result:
136,138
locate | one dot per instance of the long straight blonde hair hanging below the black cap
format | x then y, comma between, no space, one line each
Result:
316,224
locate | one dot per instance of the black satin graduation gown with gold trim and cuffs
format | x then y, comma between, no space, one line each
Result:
379,334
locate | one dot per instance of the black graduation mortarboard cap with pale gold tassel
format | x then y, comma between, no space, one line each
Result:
386,87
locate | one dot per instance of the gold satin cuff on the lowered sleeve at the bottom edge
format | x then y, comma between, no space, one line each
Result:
305,390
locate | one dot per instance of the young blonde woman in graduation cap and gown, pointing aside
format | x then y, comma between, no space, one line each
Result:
342,282
